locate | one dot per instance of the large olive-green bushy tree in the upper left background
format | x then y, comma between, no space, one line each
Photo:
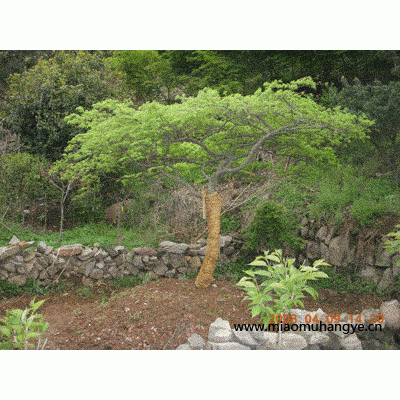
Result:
38,99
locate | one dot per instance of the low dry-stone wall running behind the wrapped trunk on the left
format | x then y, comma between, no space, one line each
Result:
20,260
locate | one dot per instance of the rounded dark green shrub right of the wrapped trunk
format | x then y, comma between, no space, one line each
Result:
271,228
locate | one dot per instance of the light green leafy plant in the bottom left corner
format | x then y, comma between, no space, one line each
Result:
18,328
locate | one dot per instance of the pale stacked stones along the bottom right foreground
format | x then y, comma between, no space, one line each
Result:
222,337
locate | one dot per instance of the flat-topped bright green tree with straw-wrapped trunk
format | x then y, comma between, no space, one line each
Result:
206,138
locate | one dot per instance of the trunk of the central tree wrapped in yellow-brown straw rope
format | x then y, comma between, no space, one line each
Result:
213,212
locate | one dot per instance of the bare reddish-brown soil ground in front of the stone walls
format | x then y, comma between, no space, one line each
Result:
157,315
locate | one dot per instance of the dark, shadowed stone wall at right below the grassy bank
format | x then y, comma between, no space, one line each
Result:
359,253
